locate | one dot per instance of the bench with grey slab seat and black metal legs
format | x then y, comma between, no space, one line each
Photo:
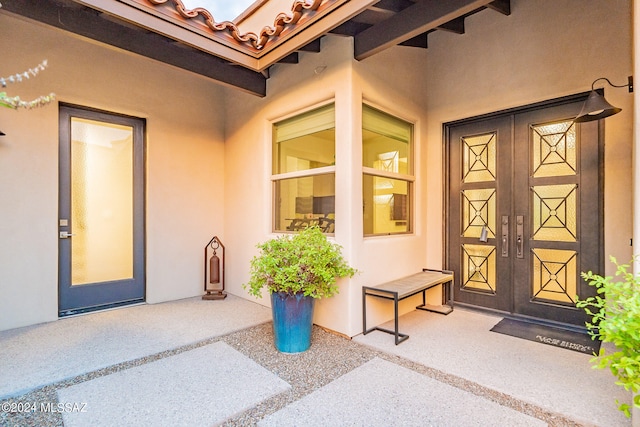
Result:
397,290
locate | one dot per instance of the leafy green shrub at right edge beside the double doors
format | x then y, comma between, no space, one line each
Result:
615,318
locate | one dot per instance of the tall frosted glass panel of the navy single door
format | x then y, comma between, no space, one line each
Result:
101,201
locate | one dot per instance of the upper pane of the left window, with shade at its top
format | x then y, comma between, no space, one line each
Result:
305,142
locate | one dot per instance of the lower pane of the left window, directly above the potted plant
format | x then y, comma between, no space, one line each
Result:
300,202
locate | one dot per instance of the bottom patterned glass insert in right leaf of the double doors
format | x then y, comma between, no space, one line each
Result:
555,275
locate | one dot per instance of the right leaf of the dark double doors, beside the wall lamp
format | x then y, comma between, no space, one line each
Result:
562,214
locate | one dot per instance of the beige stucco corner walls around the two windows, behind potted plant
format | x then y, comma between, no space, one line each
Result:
332,74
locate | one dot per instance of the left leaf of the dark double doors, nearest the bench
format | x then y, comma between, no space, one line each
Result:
475,232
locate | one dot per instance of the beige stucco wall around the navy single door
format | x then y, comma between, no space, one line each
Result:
185,164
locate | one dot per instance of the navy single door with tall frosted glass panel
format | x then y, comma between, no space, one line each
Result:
101,208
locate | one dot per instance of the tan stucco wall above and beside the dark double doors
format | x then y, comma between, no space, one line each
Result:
543,50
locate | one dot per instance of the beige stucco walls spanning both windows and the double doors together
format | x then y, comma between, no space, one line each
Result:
543,50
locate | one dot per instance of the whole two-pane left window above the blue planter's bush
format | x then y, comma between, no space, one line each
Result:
304,171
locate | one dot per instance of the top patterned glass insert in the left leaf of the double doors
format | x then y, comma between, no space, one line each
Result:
479,158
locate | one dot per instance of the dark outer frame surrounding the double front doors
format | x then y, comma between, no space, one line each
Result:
446,134
